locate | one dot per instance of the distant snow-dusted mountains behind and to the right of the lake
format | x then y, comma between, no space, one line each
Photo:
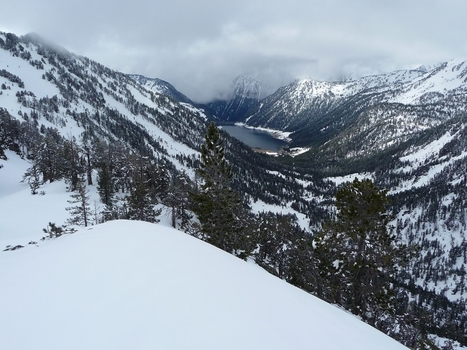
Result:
356,118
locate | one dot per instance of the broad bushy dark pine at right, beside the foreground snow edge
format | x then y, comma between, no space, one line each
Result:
357,253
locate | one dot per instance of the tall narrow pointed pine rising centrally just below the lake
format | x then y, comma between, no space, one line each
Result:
219,209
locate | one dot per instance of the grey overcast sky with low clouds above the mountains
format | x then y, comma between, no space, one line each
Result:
201,46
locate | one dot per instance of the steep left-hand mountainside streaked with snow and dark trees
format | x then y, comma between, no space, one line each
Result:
74,94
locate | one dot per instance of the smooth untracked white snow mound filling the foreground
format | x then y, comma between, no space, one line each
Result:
134,285
